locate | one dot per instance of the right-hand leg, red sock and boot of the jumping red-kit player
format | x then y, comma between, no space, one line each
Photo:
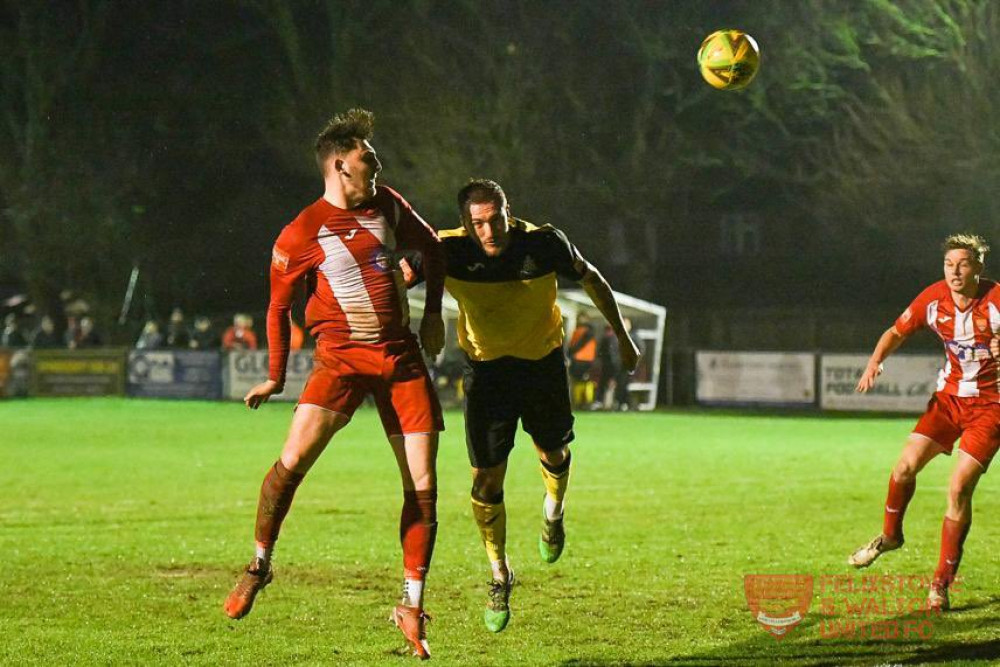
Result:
416,456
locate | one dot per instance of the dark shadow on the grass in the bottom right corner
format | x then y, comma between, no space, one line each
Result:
806,648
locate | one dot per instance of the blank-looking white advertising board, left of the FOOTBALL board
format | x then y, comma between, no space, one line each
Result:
769,378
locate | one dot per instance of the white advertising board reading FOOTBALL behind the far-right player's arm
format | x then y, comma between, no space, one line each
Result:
905,385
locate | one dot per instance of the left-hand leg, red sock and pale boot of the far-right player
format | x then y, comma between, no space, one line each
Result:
917,453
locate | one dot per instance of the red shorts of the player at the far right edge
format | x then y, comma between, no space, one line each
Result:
975,420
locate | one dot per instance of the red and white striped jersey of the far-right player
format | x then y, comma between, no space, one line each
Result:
969,371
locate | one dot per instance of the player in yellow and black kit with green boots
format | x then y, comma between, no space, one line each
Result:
503,273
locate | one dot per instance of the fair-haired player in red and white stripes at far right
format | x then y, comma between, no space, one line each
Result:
964,311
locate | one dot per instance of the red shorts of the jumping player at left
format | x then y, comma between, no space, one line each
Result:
394,374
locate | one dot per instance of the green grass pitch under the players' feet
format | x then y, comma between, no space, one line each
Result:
123,524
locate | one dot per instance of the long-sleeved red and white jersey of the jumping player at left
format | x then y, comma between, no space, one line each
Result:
347,260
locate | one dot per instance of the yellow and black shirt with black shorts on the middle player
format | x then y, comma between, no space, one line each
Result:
511,331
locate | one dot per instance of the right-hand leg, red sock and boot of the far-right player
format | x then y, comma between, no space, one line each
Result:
955,528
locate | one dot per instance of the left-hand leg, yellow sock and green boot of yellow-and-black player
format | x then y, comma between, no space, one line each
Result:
491,518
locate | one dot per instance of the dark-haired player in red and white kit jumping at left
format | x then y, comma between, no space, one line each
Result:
342,248
